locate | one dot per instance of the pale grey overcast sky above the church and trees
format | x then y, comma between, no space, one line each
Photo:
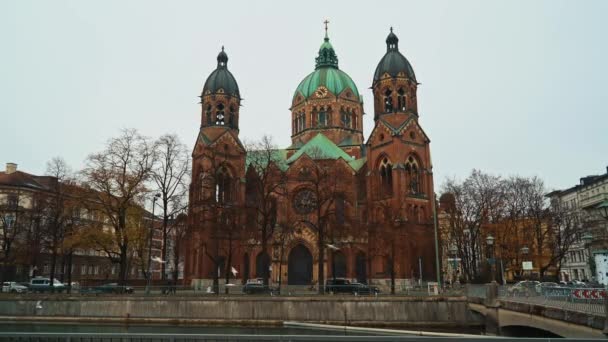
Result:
508,87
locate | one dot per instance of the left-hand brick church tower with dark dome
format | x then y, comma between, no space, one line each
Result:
218,165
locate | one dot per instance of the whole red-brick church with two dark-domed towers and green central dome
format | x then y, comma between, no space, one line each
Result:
333,204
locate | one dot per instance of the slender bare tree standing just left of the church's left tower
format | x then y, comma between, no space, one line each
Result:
171,177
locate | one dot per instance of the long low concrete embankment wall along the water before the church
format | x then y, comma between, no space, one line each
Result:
369,310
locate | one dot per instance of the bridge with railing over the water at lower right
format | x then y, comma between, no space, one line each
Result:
572,313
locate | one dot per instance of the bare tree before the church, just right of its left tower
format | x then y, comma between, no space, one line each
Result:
266,183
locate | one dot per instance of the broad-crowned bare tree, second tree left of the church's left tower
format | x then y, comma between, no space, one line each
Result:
117,177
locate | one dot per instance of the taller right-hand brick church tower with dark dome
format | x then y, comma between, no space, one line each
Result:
400,173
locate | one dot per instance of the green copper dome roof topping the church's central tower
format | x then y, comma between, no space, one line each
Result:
326,74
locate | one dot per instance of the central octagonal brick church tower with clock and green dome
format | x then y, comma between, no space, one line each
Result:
327,101
